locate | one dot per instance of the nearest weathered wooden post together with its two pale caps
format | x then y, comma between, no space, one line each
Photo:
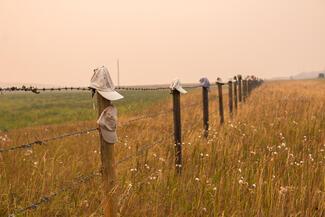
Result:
102,85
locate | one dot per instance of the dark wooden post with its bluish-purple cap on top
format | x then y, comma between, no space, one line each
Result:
205,98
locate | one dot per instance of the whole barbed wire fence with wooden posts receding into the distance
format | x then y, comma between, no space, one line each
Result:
238,91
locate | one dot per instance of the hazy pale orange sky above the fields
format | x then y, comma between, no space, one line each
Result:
61,41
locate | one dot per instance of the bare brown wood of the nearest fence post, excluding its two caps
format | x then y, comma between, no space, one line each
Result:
108,167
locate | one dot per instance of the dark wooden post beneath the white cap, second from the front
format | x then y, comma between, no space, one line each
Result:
177,130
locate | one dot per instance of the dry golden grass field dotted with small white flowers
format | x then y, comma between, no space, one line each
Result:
268,160
